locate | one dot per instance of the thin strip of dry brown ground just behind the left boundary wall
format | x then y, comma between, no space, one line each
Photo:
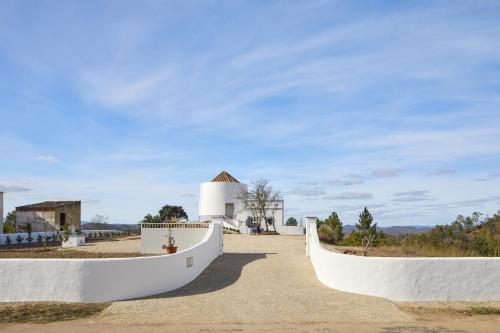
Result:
23,251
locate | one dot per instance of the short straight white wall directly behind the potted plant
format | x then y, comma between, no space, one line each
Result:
153,238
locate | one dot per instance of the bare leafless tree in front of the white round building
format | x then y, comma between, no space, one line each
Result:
259,200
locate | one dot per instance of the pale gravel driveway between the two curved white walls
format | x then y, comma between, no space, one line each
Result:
258,279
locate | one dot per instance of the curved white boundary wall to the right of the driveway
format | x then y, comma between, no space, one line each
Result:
405,279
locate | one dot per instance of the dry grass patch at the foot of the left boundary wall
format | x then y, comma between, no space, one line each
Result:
46,312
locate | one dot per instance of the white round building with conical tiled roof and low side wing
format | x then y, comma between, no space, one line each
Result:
220,197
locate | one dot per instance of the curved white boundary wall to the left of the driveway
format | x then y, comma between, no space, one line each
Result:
103,280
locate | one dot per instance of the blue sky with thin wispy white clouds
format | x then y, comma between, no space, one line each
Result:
130,105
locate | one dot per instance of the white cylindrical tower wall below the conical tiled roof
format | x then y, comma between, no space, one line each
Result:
214,196
